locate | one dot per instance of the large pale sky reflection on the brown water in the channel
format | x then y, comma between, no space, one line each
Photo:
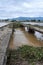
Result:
19,39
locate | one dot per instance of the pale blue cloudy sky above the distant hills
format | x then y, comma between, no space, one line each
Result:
21,8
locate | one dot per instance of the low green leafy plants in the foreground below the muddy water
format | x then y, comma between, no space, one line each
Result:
25,54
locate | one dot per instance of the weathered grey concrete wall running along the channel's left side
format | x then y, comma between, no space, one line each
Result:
4,43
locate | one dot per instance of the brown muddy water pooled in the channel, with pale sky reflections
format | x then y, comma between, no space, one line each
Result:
22,37
